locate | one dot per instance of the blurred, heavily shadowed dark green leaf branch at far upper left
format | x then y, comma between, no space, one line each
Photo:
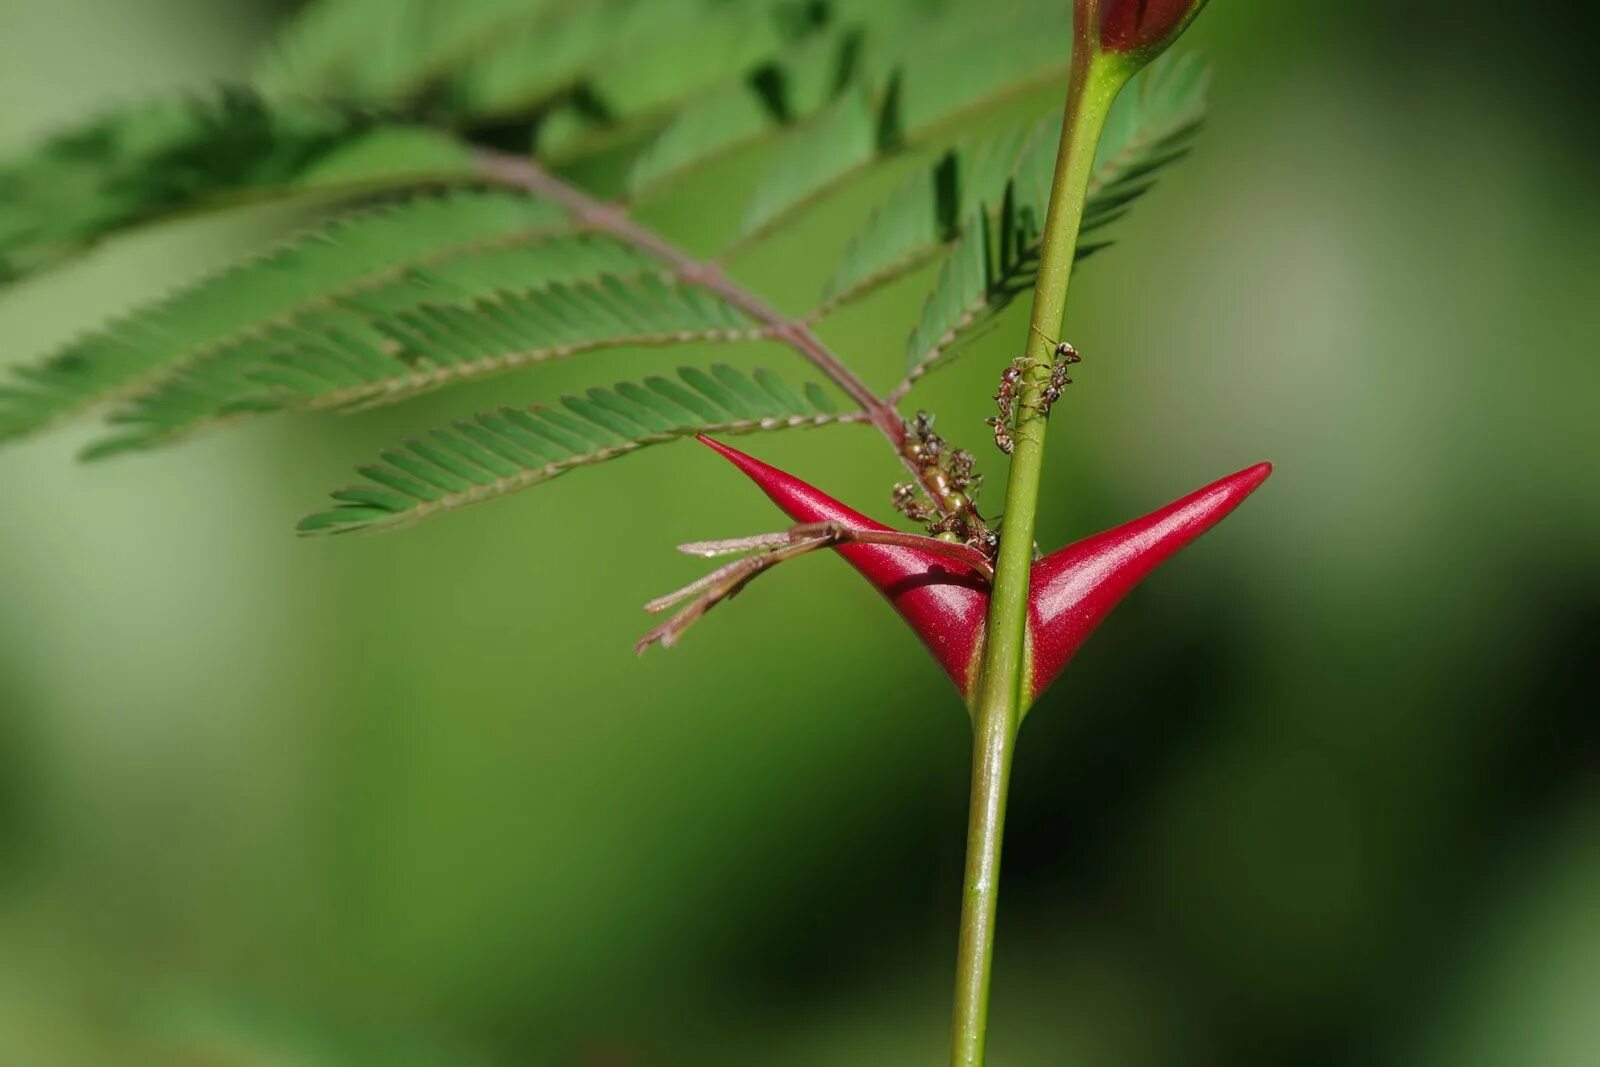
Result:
190,154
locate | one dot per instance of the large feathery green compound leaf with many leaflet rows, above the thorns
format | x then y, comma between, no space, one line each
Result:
454,287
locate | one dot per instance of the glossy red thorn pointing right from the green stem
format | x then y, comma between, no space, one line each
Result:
1074,589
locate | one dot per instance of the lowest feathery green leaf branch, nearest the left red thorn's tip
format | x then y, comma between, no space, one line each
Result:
502,452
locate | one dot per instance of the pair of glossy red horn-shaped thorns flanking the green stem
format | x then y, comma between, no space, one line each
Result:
1071,591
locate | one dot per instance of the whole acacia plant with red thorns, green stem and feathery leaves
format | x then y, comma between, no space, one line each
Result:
455,148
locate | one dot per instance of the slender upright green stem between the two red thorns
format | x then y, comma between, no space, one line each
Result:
1002,692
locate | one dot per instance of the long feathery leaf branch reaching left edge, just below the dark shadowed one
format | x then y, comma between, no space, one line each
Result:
266,295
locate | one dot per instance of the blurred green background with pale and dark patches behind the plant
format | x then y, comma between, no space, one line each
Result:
1322,793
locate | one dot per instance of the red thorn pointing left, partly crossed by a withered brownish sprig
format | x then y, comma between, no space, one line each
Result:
940,599
